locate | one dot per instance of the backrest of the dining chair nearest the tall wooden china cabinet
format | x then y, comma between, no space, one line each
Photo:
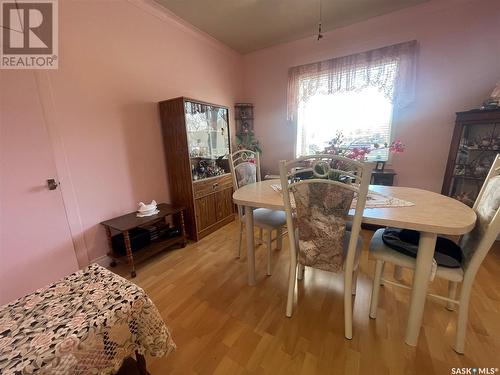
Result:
245,169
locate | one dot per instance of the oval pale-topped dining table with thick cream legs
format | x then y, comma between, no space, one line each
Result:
430,214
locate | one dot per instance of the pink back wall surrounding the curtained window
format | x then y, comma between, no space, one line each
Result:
459,64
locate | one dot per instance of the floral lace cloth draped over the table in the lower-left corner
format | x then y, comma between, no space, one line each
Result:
87,323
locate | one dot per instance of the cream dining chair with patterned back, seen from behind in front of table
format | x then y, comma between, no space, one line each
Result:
316,212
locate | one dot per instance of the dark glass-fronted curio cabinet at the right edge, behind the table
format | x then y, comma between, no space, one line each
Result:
474,146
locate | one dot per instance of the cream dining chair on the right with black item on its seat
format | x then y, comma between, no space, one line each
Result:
474,247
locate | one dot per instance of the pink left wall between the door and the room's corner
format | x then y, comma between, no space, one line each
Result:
117,60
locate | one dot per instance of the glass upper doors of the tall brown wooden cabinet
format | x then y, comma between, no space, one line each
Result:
208,139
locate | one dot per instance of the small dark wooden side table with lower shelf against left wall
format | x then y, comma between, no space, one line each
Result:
123,224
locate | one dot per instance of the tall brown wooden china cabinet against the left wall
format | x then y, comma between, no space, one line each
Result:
197,145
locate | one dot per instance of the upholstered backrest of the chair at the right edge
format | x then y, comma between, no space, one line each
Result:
476,244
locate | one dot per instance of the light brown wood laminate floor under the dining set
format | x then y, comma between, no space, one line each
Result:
223,326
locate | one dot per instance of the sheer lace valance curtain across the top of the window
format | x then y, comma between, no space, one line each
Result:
390,69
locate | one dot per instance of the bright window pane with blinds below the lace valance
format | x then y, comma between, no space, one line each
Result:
363,116
